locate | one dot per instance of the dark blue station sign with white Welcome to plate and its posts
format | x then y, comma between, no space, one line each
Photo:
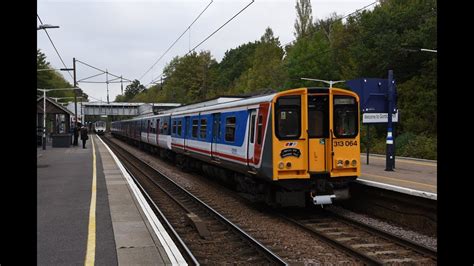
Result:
378,99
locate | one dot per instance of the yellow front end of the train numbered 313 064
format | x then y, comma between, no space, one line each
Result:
315,138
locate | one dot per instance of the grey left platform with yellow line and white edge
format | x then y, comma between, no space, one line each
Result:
89,211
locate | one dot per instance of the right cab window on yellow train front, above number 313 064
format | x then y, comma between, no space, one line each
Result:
345,117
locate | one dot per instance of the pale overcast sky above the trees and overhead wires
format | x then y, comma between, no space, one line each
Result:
127,37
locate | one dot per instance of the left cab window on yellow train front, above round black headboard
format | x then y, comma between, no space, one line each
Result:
288,117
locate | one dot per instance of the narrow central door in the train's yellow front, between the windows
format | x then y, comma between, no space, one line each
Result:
318,132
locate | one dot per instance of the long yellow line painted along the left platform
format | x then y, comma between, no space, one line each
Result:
90,255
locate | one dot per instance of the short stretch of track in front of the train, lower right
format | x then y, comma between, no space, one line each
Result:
369,244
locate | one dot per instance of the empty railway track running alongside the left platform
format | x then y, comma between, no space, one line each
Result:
205,235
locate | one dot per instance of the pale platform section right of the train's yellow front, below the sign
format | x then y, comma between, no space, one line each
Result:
410,176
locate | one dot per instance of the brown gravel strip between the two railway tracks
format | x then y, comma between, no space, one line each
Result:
291,243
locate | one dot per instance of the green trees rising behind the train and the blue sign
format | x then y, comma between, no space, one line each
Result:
367,44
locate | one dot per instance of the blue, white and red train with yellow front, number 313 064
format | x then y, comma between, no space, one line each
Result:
290,148
